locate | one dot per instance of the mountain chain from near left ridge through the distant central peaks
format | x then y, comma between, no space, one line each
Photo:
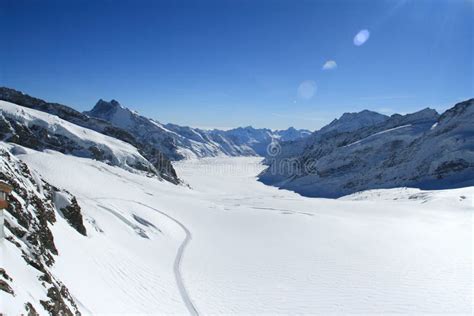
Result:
156,143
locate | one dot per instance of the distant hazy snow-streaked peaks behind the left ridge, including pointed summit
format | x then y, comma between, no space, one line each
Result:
180,142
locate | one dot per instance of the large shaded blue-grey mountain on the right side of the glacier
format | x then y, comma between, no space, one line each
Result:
422,150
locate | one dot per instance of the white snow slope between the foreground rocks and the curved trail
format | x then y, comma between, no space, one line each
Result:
125,264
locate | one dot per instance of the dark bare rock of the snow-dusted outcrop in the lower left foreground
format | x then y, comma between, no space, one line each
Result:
28,218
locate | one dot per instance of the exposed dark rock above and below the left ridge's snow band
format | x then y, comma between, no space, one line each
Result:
35,137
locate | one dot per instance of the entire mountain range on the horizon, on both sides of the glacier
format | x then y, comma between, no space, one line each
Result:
358,151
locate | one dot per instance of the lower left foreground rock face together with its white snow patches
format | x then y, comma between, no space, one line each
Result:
28,220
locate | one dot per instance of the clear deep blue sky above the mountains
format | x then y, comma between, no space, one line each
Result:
234,63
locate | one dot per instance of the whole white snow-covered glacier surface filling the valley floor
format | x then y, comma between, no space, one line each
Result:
230,244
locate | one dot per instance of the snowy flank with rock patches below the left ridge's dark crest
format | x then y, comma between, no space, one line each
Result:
40,130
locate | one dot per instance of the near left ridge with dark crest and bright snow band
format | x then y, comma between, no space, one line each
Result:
36,130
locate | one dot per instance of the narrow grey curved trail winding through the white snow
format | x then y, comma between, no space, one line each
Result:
179,255
